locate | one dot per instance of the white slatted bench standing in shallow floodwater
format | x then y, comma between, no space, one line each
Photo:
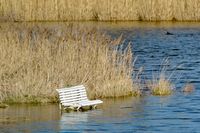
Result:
75,97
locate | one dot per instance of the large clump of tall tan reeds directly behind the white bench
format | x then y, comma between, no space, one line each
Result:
37,59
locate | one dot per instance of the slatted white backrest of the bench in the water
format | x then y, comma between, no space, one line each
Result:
72,95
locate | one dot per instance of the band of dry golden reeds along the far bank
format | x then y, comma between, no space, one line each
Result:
105,10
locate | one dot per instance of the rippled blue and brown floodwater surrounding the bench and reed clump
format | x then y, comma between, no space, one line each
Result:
152,43
